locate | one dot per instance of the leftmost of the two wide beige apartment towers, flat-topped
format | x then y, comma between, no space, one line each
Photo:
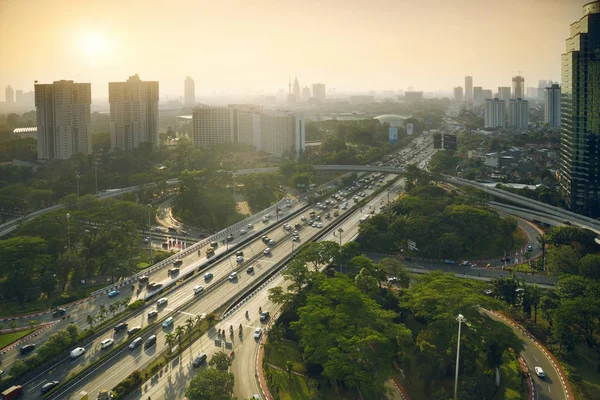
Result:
63,119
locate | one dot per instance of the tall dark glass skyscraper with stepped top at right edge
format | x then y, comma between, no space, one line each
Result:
579,167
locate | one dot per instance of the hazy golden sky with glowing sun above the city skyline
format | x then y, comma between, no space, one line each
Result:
255,44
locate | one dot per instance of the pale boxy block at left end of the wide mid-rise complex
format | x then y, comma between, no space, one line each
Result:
212,125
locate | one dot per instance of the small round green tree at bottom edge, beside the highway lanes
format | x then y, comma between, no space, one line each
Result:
211,384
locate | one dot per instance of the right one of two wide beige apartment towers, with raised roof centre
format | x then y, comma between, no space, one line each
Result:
133,113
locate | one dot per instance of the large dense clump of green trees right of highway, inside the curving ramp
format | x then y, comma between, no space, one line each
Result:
351,328
